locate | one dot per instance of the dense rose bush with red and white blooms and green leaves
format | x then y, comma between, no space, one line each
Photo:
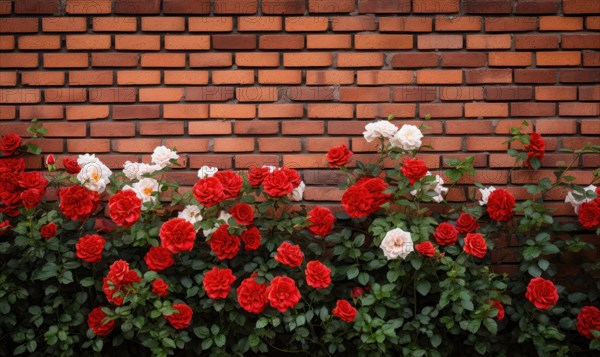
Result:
127,261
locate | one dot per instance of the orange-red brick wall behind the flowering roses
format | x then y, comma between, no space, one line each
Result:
235,83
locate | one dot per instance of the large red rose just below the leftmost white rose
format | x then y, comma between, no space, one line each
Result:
78,203
